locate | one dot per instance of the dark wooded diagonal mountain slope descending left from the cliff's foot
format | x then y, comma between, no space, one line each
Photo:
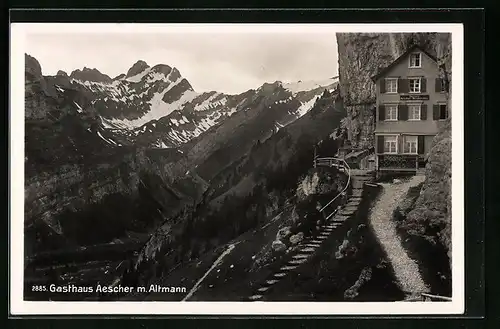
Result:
245,192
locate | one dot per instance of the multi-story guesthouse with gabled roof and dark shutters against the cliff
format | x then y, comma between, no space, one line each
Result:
411,105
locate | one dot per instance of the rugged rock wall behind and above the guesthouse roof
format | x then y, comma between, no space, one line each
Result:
362,55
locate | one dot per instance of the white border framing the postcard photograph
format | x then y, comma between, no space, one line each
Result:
20,307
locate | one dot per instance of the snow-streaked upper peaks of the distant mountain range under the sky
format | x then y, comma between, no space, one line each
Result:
157,107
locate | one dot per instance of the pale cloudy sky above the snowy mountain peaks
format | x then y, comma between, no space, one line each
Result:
224,62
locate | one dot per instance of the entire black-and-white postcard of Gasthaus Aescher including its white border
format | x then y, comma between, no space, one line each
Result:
251,164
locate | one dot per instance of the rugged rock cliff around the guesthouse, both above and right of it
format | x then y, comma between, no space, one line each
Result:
362,55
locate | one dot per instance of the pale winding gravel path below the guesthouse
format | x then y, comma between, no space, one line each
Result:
406,270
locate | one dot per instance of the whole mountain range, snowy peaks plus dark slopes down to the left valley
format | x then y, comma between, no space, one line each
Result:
90,137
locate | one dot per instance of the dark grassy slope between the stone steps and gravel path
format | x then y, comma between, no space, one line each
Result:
326,278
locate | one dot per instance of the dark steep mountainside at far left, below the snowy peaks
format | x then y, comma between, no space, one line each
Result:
81,185
